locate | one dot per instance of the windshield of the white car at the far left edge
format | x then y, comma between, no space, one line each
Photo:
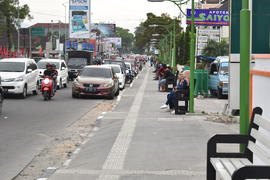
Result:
12,66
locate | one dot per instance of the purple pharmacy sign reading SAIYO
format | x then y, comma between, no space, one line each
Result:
208,17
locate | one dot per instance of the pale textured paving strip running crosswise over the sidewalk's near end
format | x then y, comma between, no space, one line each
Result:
131,172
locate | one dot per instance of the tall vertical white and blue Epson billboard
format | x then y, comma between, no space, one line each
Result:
79,18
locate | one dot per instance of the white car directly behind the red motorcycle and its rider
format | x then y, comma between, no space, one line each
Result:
61,66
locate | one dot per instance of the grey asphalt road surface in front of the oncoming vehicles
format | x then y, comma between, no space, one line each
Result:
27,125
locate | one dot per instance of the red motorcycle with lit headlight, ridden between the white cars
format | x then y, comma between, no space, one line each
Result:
47,88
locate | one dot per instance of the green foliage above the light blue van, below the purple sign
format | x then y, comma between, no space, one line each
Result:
214,49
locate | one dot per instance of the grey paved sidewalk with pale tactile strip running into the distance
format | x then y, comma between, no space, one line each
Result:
139,141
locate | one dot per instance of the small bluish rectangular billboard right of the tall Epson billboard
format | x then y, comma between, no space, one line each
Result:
102,29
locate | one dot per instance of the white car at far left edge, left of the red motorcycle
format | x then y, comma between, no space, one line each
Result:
19,76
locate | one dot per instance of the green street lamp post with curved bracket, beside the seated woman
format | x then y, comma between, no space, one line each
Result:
179,3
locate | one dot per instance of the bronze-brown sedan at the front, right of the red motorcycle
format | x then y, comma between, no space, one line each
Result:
97,81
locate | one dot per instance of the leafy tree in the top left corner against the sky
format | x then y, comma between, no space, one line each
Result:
11,12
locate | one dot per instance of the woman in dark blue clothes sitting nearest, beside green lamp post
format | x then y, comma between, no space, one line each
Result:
182,84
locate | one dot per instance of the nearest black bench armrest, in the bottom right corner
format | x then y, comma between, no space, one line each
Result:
252,172
